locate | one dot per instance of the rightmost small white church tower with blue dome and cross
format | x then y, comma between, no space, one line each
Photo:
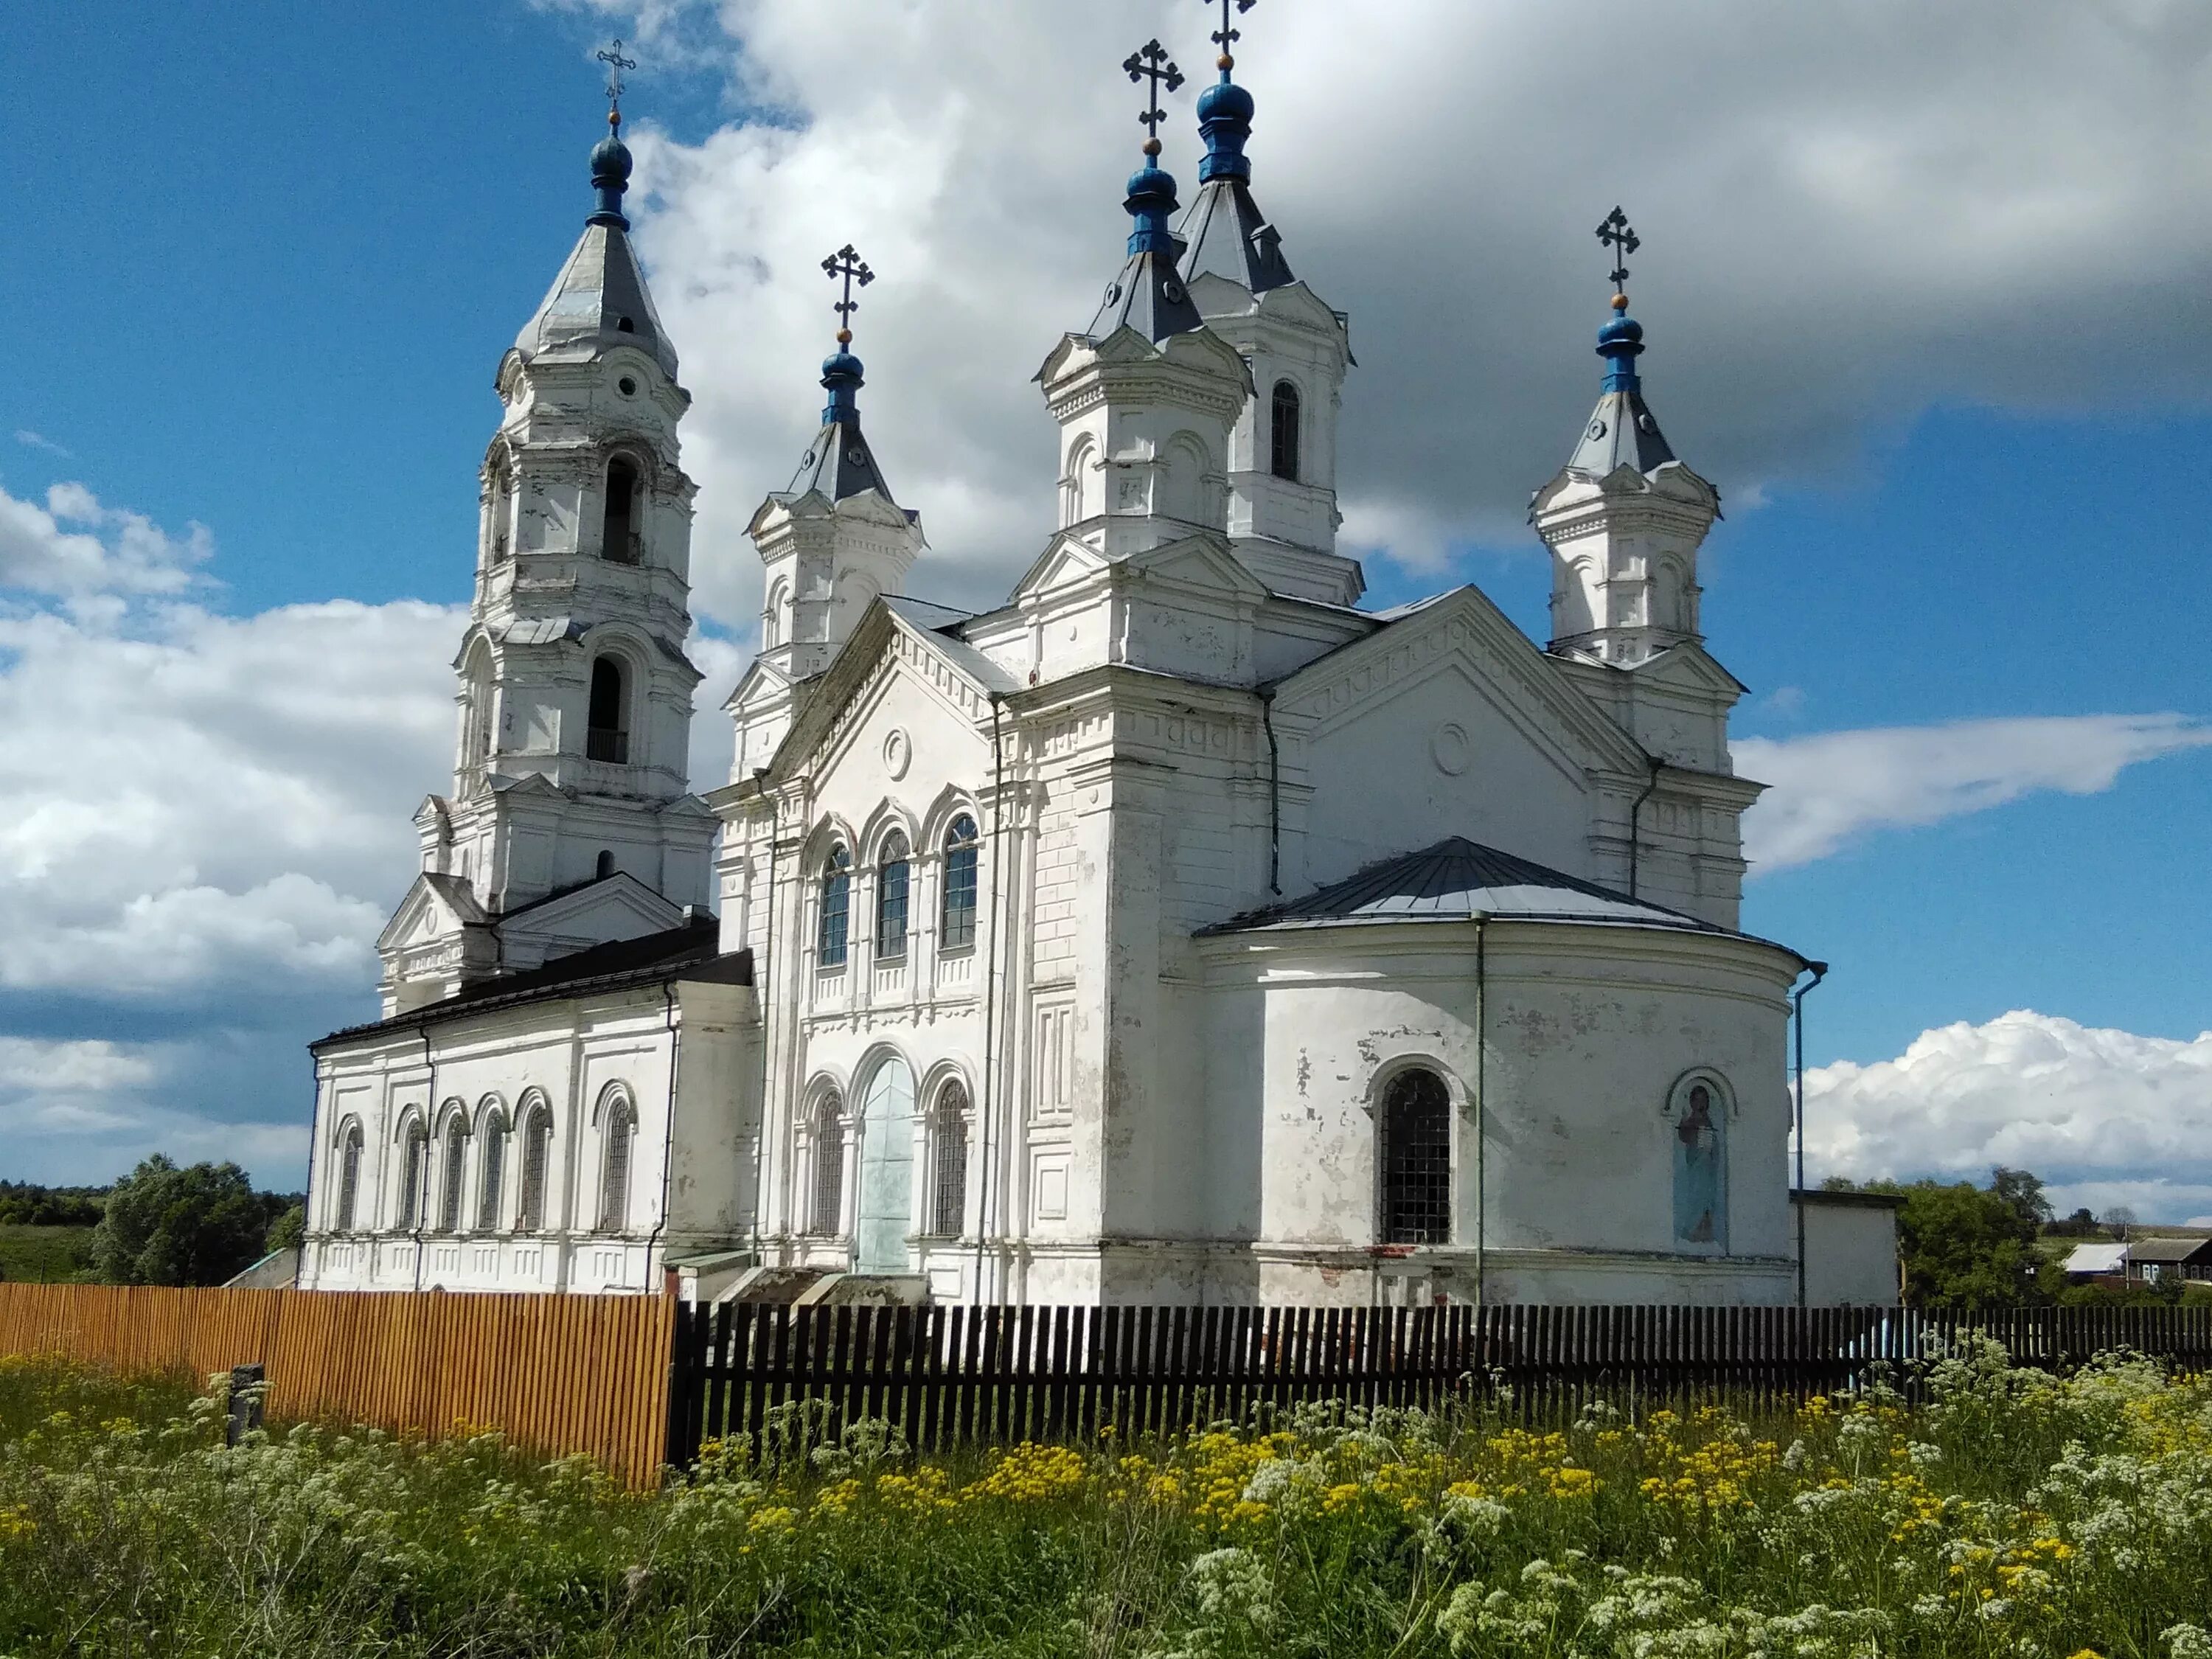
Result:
1625,517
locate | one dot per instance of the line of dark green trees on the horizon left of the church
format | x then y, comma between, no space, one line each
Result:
165,1224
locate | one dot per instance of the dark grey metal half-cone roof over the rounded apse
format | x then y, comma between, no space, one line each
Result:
1452,884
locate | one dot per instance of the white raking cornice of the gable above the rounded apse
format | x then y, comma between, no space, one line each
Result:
1461,632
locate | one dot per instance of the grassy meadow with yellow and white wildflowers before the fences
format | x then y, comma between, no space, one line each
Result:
2012,1516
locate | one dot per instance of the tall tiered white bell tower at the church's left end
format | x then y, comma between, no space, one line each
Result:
572,817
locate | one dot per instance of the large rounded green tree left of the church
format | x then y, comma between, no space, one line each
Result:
180,1227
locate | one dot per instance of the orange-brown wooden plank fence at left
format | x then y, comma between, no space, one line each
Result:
556,1375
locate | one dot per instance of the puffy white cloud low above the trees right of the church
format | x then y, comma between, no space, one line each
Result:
2105,1116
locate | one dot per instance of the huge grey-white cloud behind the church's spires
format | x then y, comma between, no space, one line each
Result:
1844,222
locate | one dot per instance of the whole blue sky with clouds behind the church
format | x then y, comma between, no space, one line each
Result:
262,278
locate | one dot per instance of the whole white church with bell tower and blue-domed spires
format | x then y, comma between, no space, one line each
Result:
1176,932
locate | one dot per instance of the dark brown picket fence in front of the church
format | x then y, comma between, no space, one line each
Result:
997,1375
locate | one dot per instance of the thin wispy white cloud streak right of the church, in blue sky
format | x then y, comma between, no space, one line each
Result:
1839,786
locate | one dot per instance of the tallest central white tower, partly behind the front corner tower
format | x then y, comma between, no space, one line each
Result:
1282,472
